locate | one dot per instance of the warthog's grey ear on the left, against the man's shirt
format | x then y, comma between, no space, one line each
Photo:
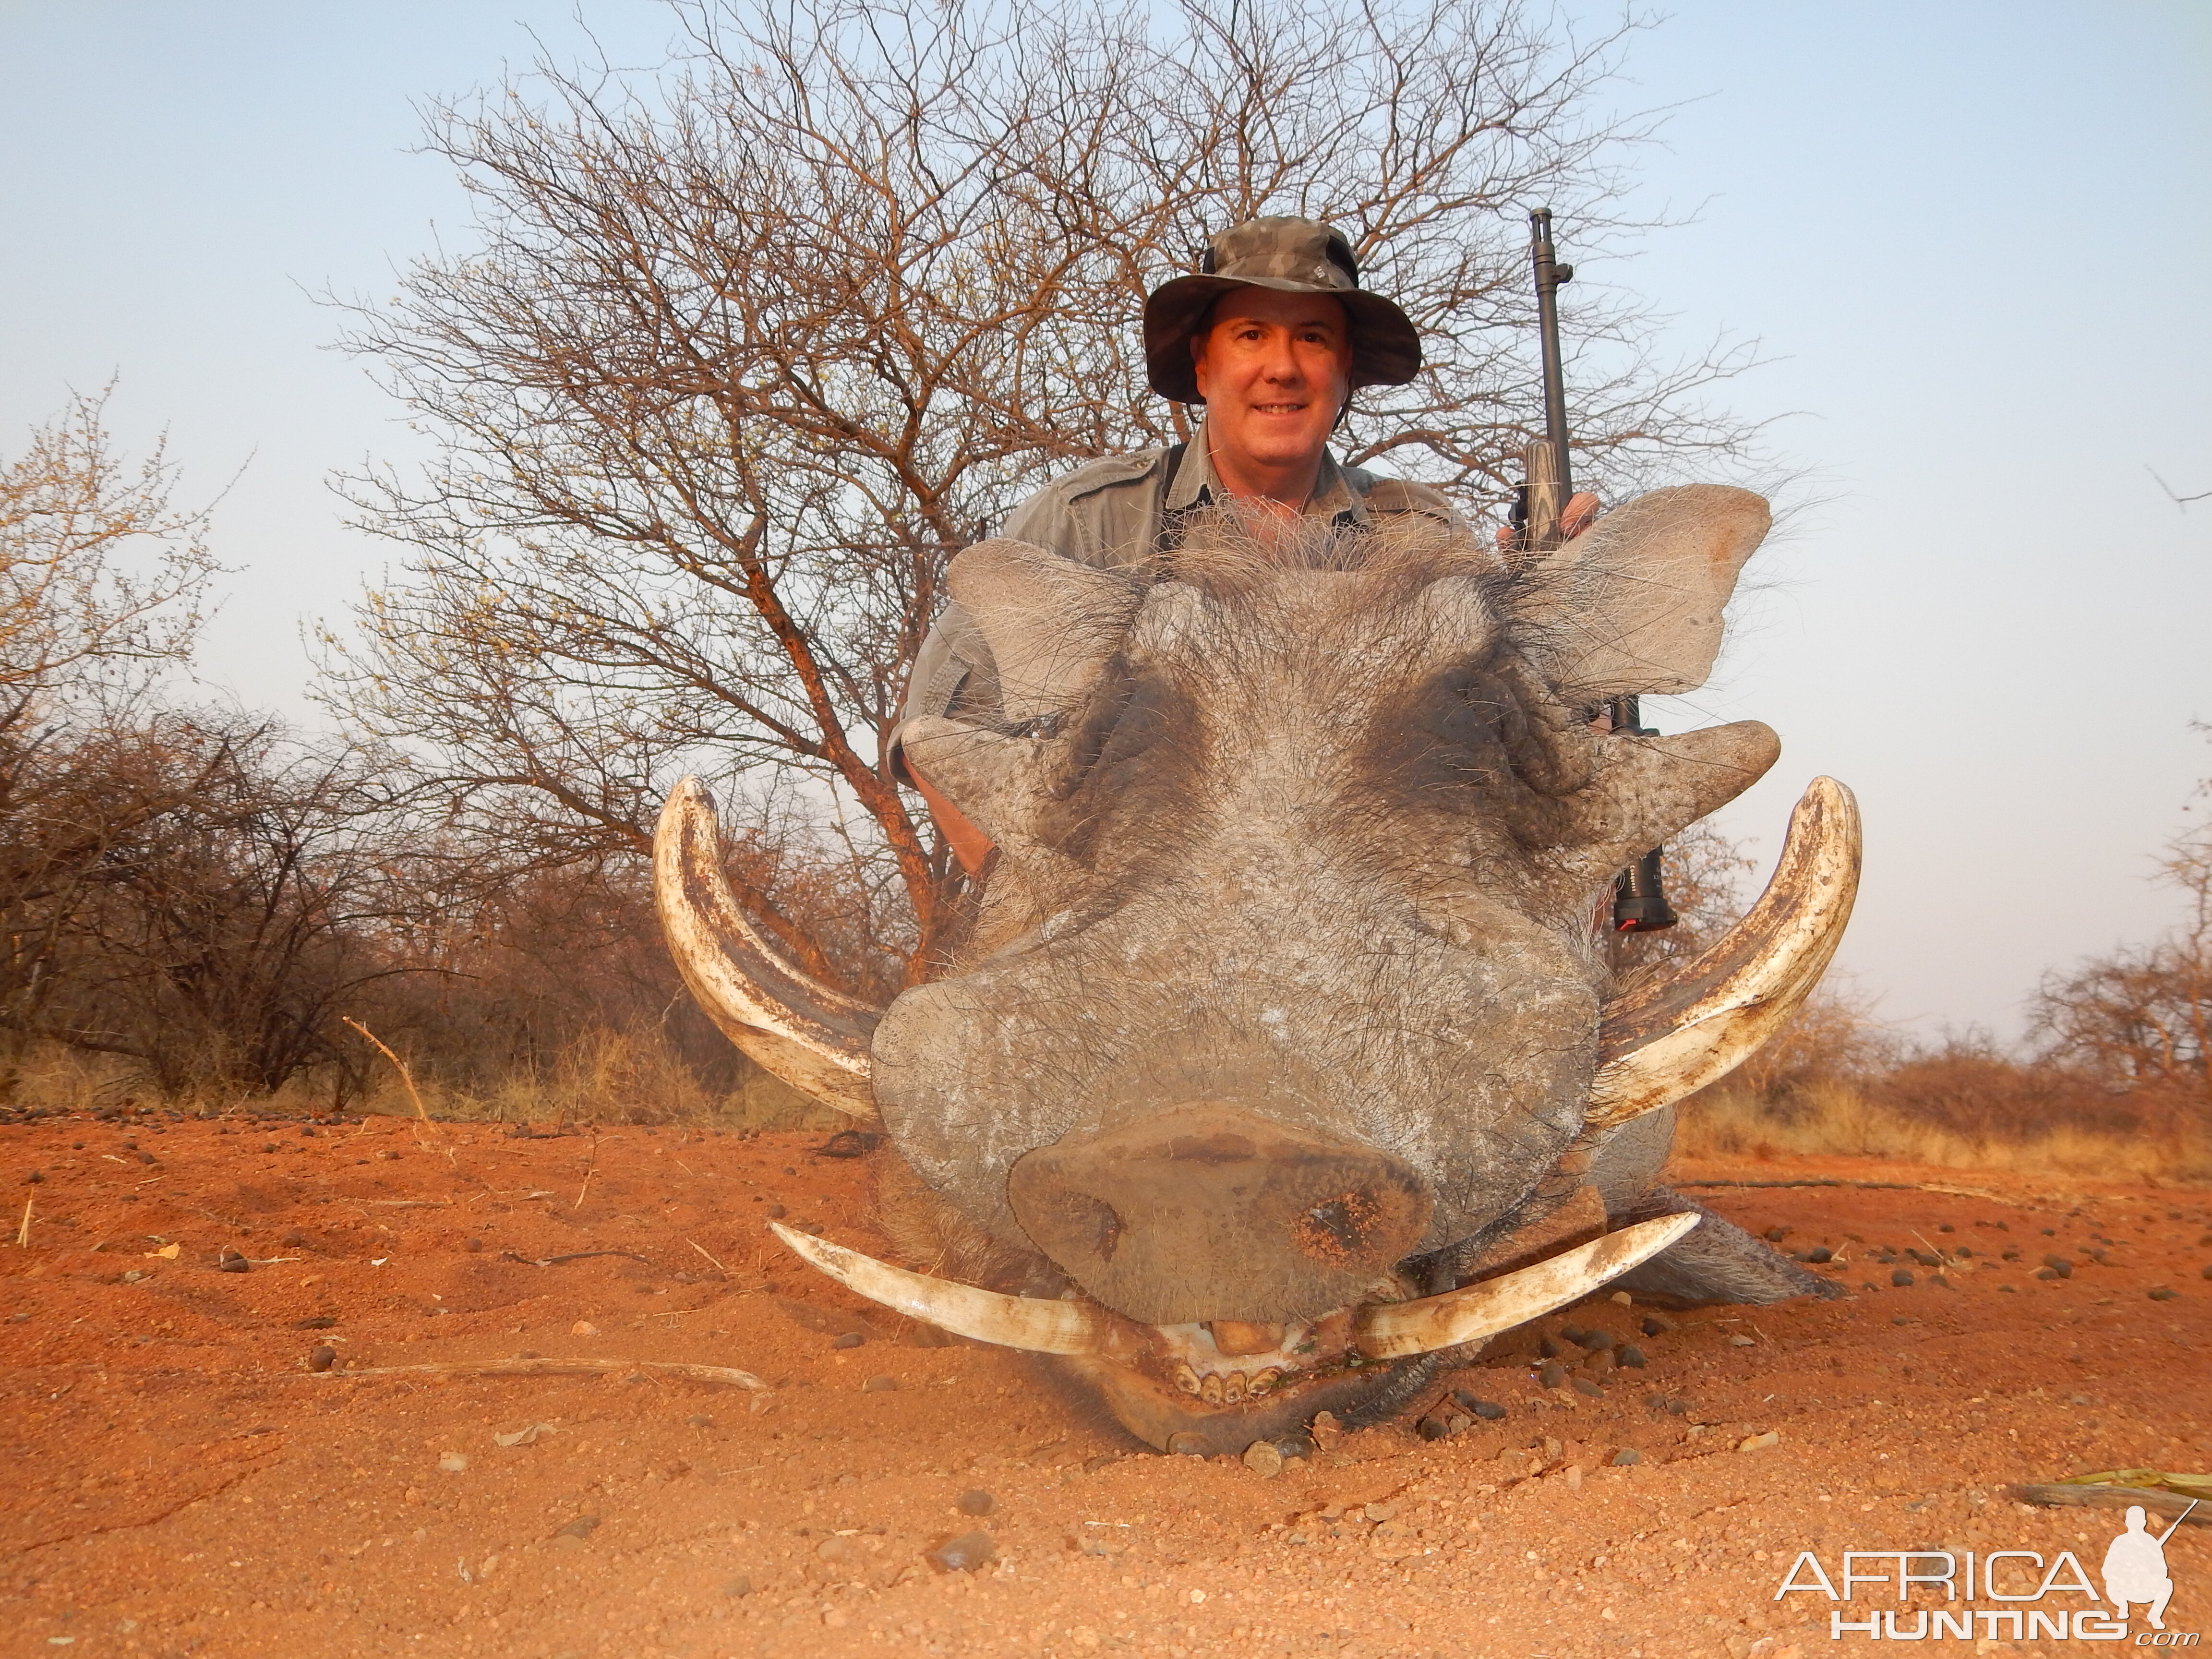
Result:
1050,623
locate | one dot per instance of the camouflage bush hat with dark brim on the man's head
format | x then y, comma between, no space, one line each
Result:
1295,258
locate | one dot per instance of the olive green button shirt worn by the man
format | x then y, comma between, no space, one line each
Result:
1107,514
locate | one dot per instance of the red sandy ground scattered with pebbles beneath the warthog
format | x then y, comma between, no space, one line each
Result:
180,1483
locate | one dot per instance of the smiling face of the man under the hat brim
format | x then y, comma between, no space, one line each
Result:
1275,371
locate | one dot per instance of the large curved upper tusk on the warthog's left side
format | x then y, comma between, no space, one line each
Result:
797,1027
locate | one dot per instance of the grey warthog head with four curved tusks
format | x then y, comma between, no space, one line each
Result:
1282,1054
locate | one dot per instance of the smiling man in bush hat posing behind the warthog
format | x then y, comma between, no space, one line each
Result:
1273,337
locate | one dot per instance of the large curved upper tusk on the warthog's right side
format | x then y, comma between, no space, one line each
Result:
1695,1025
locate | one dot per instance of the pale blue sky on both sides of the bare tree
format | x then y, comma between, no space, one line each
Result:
1974,236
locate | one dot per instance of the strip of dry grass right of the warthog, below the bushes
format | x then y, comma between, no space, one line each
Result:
1846,1118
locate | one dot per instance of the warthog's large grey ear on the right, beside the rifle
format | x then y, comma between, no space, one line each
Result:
1636,603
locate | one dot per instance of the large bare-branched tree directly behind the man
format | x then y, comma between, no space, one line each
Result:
749,348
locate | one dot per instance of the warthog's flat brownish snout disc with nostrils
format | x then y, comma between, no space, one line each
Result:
1215,1213
